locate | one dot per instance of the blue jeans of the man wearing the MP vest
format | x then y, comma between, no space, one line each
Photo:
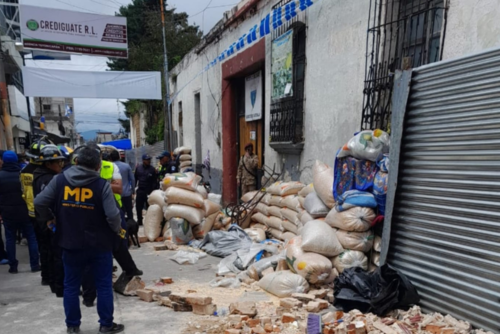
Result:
101,265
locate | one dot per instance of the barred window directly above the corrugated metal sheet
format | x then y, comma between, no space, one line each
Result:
402,34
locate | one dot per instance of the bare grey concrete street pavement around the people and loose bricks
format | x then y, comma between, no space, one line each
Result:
27,307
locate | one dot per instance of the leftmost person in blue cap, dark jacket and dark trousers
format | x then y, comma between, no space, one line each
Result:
14,212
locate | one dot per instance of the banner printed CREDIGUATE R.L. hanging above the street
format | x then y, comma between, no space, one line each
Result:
73,32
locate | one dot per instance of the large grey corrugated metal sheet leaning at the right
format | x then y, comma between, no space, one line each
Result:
443,214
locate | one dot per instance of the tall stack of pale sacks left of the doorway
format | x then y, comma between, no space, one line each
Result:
185,207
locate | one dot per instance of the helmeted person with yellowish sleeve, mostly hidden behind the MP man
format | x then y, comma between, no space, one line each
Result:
28,195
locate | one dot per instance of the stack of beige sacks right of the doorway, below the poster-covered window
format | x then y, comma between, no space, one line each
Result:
282,208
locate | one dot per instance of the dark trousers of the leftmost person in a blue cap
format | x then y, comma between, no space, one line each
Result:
11,236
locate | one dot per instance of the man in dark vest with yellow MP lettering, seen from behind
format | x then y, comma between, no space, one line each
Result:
87,222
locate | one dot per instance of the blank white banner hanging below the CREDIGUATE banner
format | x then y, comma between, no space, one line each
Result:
42,82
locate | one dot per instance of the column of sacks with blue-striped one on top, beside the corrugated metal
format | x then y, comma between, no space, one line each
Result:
353,216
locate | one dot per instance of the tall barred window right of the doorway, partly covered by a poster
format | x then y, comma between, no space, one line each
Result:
286,119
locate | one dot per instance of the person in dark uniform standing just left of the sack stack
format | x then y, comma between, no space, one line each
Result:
147,181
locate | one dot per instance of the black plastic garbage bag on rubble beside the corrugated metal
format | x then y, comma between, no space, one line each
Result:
378,292
